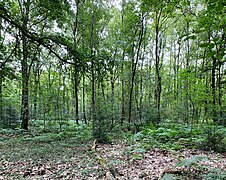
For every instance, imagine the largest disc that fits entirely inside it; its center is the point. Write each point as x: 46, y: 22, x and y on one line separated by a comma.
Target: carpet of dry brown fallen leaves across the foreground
x: 81, y: 163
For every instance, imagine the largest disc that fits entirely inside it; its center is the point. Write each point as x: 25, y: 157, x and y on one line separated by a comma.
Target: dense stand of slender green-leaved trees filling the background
x: 128, y: 62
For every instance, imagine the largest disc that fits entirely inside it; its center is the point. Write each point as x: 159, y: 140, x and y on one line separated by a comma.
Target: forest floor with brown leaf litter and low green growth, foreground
x: 46, y: 156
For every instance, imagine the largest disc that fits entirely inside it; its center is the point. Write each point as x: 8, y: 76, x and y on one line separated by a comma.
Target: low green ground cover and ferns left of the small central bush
x: 42, y: 144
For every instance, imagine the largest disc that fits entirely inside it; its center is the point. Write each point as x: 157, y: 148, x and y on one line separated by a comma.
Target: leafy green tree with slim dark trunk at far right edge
x: 212, y: 22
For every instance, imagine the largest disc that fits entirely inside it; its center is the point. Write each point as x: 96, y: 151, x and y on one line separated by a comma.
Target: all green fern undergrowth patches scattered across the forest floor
x: 42, y: 143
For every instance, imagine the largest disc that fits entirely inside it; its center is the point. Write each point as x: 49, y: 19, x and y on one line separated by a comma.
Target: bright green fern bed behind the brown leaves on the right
x: 176, y: 137
